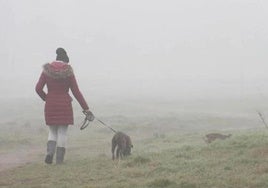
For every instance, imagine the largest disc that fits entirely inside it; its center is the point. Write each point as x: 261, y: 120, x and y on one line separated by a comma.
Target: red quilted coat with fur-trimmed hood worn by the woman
x: 59, y: 78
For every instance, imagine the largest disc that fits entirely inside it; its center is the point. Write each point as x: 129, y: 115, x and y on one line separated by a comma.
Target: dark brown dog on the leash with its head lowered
x: 123, y: 145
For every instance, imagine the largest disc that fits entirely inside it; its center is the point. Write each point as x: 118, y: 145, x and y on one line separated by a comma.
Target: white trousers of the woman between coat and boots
x: 58, y: 133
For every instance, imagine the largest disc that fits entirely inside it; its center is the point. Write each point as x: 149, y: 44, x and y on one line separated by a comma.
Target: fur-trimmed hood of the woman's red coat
x: 58, y: 70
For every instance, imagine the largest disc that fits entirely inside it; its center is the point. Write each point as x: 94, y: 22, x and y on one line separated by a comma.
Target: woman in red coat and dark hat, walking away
x: 58, y: 76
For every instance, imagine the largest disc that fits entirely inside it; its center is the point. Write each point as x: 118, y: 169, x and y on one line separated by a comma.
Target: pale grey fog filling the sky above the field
x: 142, y: 49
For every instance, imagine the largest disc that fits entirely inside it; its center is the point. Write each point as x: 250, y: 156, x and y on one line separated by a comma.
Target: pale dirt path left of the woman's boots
x: 18, y: 158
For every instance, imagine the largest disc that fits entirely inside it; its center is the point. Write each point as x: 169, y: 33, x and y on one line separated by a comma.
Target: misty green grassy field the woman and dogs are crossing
x: 169, y: 150
